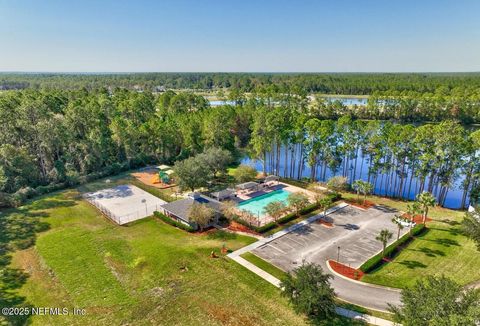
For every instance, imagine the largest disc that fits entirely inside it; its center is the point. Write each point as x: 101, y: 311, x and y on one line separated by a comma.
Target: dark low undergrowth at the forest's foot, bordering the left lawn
x: 72, y: 179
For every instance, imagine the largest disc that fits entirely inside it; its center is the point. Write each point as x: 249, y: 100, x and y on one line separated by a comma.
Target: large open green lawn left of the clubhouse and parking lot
x: 65, y: 254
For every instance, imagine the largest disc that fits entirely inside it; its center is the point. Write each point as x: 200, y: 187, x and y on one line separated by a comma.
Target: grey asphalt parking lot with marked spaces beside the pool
x: 353, y: 230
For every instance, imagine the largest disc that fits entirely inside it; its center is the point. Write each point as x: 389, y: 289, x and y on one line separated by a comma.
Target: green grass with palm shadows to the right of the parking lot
x: 442, y: 250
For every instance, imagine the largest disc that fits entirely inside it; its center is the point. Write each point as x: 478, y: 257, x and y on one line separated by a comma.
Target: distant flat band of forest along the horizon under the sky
x: 327, y: 83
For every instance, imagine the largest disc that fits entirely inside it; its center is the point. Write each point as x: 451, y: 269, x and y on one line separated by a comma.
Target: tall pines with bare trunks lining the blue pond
x: 401, y: 159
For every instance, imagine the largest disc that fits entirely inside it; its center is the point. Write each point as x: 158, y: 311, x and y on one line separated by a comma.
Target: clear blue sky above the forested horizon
x: 239, y: 36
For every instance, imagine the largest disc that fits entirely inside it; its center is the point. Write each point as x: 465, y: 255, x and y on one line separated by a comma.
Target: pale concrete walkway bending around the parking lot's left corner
x: 276, y: 282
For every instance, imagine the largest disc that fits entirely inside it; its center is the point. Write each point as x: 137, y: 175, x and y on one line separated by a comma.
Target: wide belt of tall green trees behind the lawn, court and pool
x: 56, y: 138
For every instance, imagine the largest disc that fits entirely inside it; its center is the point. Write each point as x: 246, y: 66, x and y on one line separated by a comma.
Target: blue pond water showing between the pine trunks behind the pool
x: 453, y: 199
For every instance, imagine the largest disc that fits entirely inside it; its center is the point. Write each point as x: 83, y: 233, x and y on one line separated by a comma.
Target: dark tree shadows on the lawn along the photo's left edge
x: 18, y: 230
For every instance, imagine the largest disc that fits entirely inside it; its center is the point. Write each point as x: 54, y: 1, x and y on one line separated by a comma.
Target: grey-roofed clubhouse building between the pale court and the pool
x: 178, y: 210
